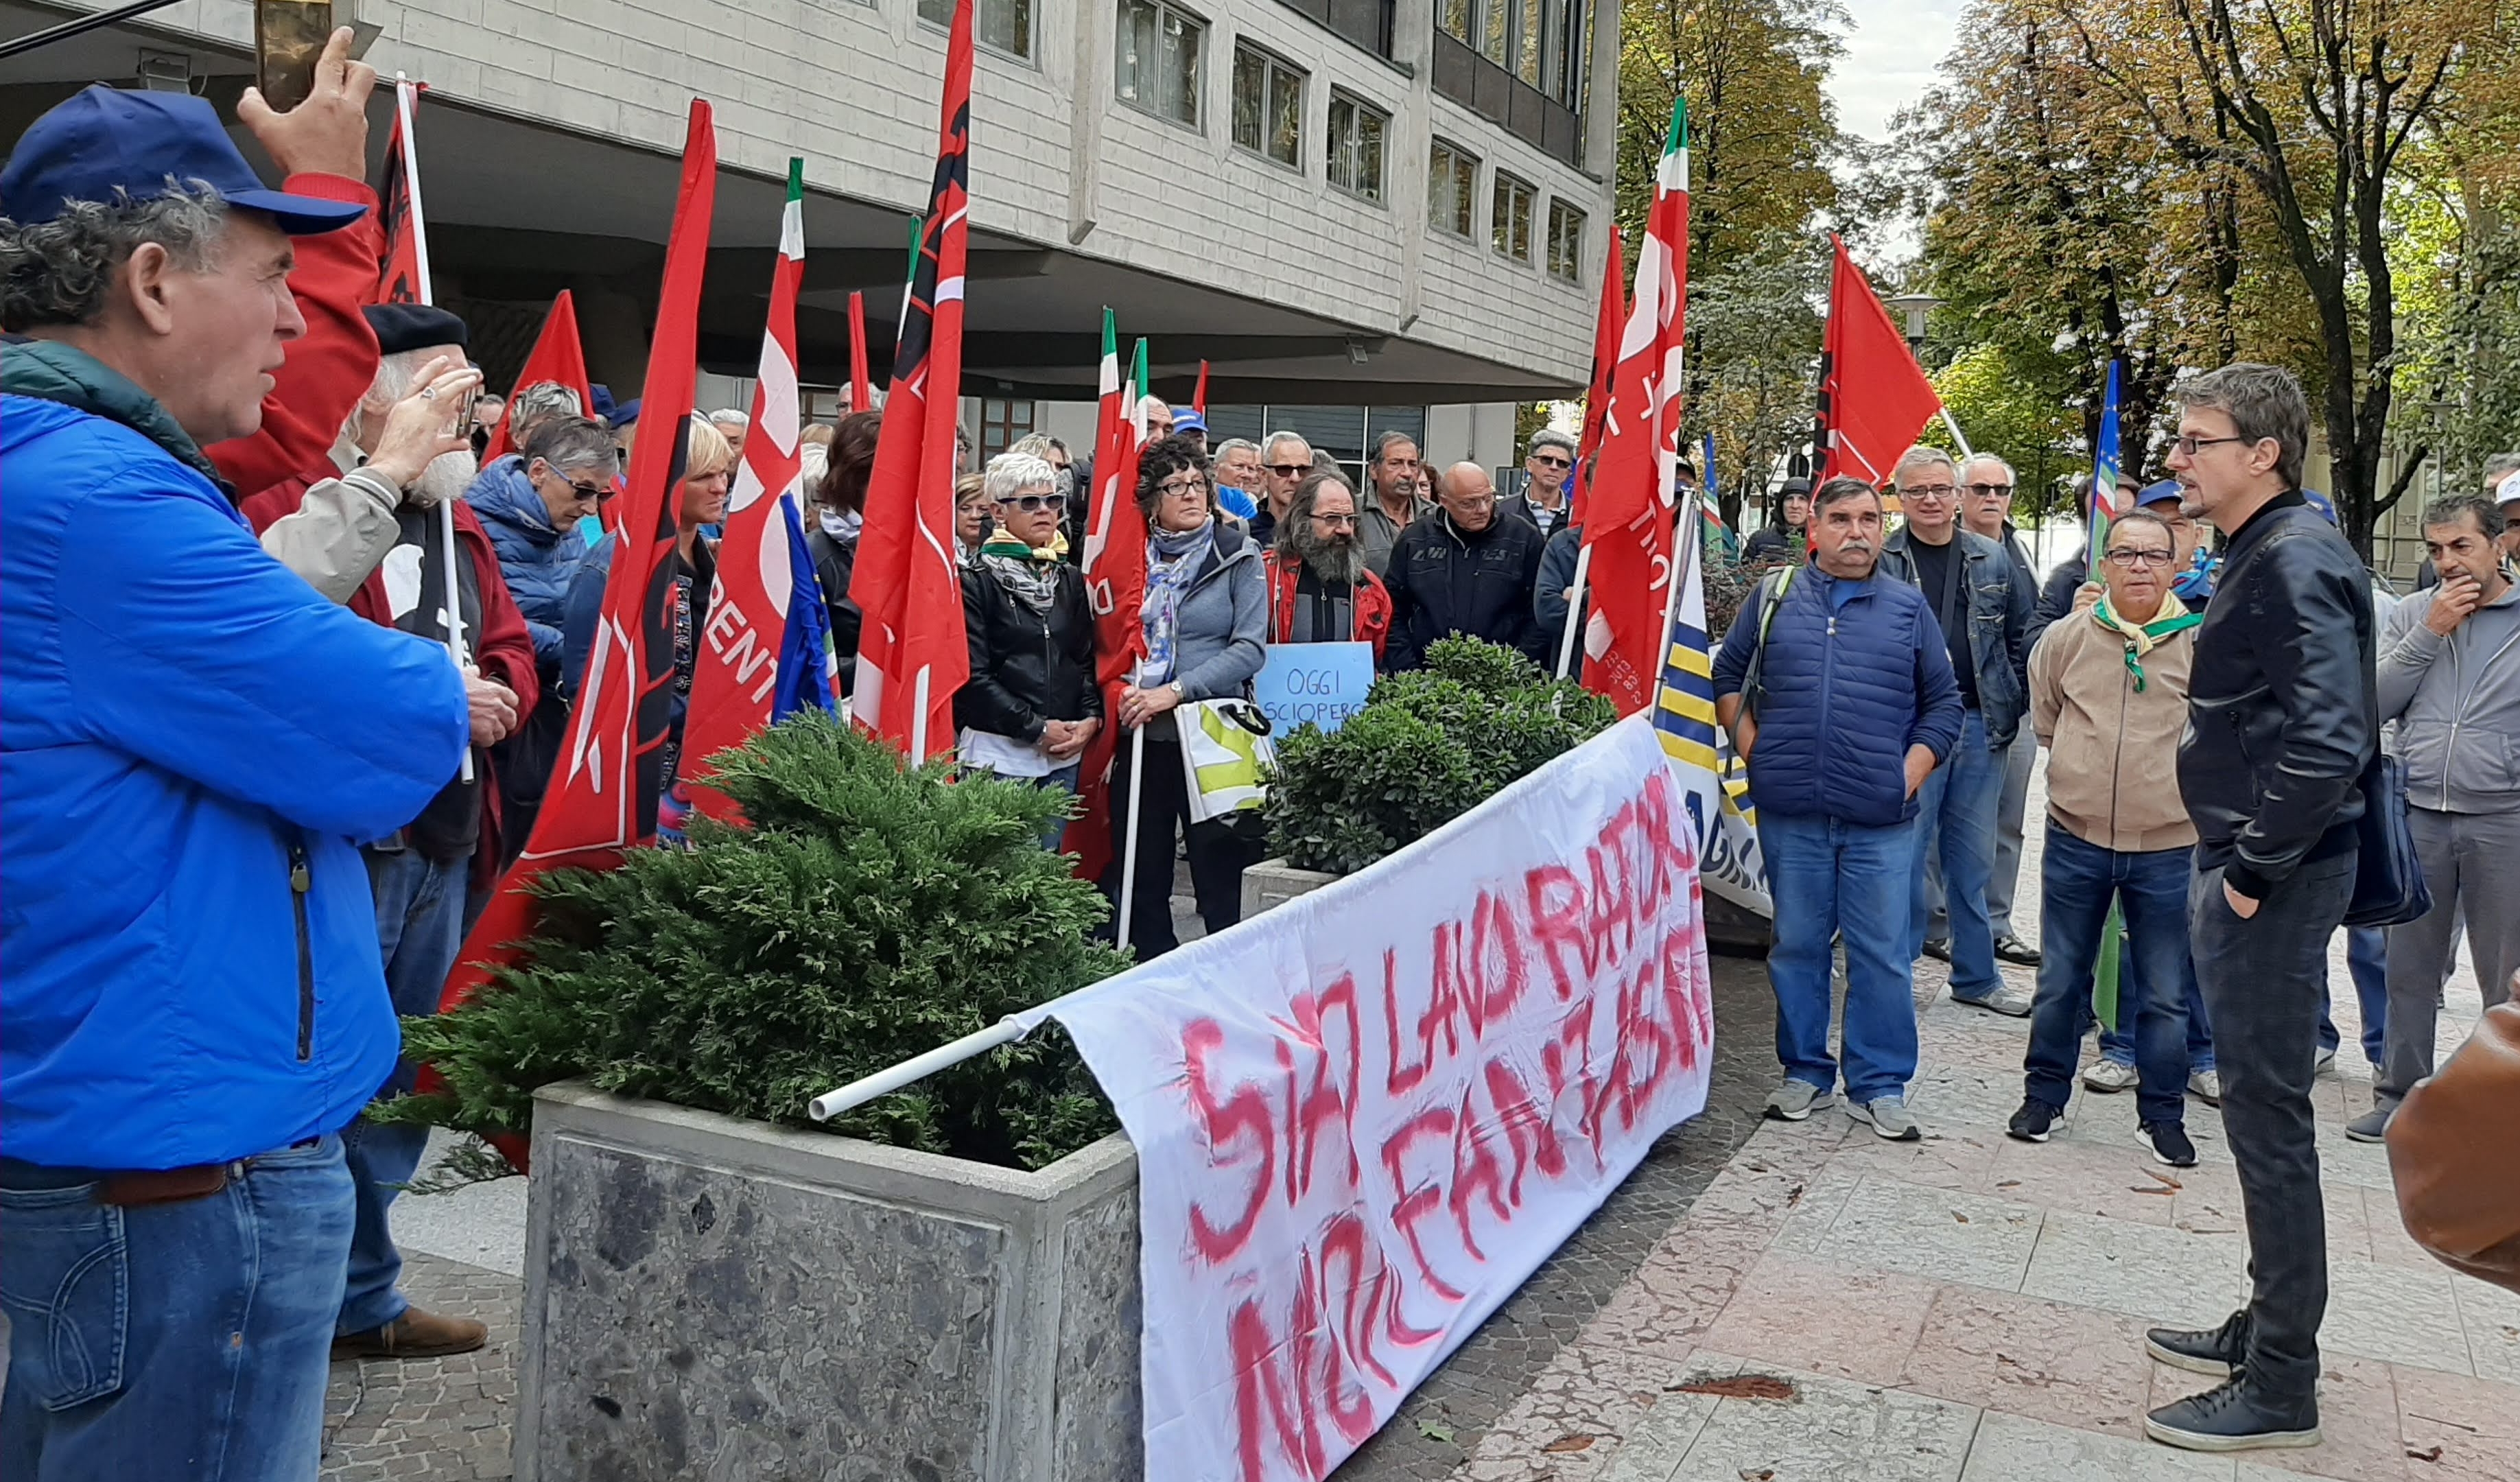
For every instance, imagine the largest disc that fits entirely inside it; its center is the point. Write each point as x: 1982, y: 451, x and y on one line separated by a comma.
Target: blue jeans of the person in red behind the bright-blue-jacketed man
x: 420, y: 926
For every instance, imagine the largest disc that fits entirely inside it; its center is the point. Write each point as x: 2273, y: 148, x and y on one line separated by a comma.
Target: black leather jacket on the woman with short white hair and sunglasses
x: 1027, y: 667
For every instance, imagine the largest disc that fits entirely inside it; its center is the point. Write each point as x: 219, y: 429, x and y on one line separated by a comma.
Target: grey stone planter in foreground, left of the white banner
x: 750, y: 1302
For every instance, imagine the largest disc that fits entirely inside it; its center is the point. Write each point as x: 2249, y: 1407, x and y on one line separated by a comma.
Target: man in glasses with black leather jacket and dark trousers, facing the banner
x: 2282, y: 725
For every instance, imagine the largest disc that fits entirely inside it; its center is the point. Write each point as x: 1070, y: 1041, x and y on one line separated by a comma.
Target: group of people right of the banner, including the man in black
x: 2211, y: 712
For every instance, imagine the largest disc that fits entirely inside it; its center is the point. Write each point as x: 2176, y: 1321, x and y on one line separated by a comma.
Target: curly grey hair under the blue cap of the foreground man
x: 59, y: 273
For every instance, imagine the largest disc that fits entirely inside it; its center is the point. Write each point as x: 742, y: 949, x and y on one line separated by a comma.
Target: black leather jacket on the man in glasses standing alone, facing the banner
x: 2282, y: 707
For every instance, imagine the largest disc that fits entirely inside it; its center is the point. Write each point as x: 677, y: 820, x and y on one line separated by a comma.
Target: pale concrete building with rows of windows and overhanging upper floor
x: 1362, y: 213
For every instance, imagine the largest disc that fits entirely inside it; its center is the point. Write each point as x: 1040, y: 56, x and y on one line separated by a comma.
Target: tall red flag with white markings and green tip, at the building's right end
x: 1629, y: 520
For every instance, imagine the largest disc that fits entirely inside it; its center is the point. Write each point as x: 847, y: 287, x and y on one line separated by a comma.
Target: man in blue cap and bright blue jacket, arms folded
x: 193, y: 745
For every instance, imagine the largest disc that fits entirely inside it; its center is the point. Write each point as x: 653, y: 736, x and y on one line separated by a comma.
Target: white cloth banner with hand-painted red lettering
x: 1367, y: 1115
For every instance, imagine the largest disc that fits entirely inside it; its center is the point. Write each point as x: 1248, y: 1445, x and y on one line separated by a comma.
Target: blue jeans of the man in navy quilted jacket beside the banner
x: 1833, y: 878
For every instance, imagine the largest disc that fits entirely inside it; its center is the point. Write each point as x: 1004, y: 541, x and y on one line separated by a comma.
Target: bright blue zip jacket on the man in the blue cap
x: 185, y: 727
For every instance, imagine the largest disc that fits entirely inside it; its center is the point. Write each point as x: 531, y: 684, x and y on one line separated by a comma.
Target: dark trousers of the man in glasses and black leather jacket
x: 2262, y: 984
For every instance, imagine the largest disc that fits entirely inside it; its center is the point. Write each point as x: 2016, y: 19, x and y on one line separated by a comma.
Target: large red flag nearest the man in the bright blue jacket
x: 606, y: 785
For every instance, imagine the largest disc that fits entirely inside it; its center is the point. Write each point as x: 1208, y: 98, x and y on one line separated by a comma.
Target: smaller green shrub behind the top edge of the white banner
x: 1425, y: 750
